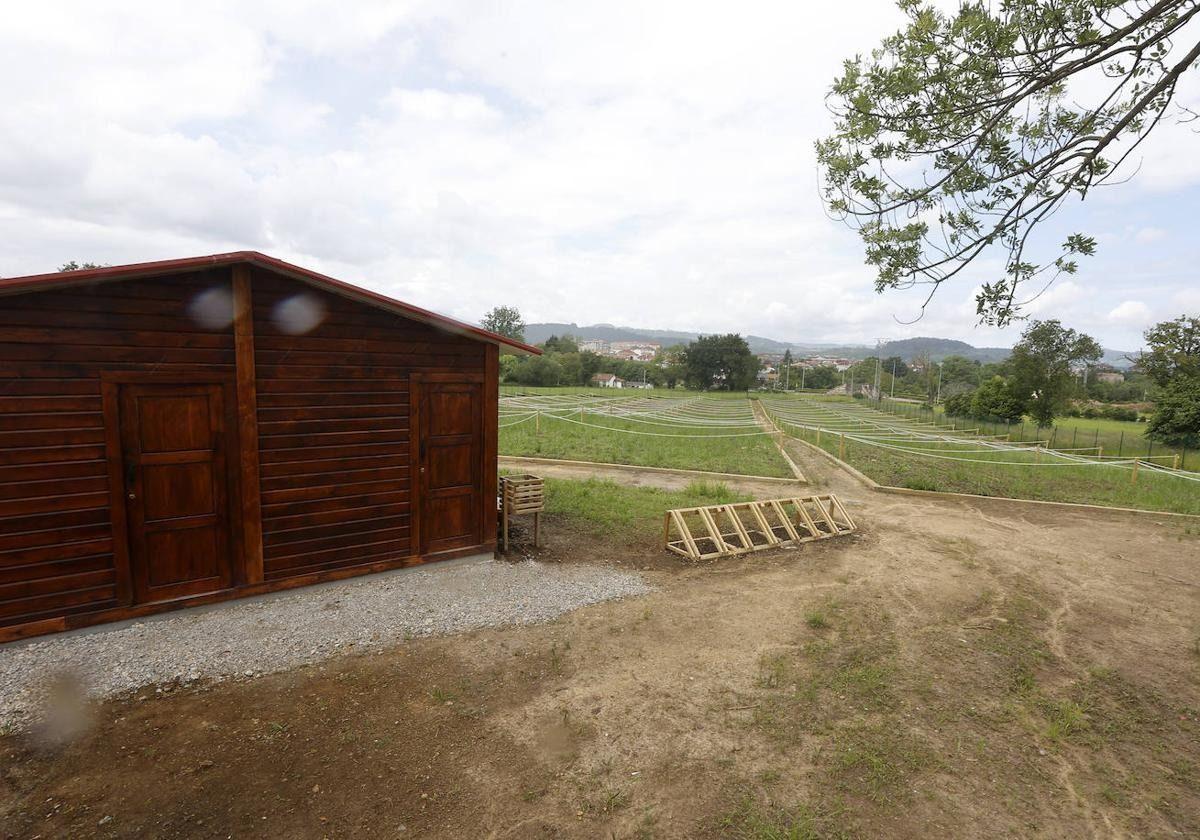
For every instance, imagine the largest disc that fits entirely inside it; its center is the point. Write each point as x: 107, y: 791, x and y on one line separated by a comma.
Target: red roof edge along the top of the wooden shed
x: 165, y: 267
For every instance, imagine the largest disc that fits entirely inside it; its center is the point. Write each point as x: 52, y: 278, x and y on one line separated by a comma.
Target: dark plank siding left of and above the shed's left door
x: 58, y: 554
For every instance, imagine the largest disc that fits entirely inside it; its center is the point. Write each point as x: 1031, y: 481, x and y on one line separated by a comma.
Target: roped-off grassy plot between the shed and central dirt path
x: 650, y: 440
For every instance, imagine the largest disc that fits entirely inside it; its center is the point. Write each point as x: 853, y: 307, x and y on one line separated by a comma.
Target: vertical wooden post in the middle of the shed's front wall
x: 248, y: 425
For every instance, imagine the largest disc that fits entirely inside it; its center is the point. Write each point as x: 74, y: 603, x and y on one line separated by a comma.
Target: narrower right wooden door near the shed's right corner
x: 451, y: 465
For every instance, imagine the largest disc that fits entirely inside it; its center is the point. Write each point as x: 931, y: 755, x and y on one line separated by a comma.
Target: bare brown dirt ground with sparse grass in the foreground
x: 958, y: 669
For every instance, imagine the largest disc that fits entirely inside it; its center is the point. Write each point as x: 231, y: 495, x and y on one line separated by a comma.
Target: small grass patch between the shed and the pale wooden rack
x: 607, y: 508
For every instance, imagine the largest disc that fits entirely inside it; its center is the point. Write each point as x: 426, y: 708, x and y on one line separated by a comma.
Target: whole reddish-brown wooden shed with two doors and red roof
x: 203, y: 429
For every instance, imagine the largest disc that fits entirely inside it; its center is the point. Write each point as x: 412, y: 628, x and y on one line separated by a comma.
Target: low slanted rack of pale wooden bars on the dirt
x: 729, y: 530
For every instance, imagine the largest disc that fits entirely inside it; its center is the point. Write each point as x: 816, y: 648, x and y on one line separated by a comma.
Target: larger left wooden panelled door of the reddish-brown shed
x: 176, y: 465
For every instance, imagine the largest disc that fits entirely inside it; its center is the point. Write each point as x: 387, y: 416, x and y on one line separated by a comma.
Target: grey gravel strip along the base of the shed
x: 260, y: 637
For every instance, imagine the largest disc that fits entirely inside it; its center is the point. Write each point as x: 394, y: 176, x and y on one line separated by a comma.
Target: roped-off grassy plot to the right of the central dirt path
x: 923, y: 466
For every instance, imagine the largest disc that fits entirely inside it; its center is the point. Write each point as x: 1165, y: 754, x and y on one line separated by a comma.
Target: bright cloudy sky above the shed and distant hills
x: 637, y: 164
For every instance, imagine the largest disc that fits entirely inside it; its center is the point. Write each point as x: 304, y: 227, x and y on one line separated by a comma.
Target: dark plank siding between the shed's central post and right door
x: 334, y: 425
